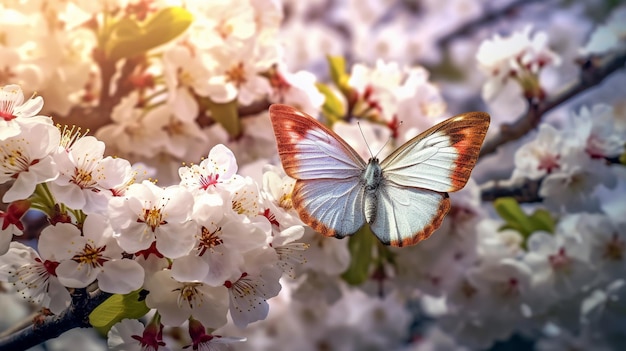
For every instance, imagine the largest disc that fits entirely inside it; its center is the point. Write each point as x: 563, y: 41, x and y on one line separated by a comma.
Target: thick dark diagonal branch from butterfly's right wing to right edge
x: 593, y: 71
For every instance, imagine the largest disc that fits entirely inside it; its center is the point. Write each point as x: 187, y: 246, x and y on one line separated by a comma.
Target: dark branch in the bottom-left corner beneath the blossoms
x: 75, y: 316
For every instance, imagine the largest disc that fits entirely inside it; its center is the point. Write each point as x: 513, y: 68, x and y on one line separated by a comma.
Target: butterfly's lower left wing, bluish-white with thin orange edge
x: 333, y: 207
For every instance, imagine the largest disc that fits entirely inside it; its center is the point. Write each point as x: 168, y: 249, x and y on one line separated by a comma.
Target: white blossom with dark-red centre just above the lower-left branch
x: 92, y: 255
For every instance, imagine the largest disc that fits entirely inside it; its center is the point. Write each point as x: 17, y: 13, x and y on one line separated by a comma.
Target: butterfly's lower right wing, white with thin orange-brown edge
x: 407, y: 215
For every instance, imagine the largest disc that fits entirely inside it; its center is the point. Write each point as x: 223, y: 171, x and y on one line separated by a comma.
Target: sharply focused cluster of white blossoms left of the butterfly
x: 202, y: 248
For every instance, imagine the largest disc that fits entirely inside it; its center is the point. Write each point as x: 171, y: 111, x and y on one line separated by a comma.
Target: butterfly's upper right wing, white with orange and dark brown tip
x: 441, y: 158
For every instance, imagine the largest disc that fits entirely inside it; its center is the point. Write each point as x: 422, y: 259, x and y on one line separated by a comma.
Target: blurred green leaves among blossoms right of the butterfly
x: 515, y: 218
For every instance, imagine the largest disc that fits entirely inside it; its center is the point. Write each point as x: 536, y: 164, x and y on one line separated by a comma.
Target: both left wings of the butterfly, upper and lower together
x: 328, y: 194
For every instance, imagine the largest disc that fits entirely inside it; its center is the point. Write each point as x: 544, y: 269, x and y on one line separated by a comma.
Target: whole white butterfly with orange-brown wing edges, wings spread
x: 404, y: 198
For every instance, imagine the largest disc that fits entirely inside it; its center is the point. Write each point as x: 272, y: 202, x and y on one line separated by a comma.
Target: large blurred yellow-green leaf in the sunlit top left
x: 130, y: 38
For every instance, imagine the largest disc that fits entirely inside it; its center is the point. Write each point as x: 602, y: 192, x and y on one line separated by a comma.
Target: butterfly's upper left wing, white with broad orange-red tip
x: 309, y: 150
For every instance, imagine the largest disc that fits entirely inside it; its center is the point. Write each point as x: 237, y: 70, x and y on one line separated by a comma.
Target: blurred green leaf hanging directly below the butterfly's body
x: 360, y: 246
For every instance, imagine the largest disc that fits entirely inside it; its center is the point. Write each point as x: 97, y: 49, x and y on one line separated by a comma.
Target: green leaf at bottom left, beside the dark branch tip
x: 116, y: 308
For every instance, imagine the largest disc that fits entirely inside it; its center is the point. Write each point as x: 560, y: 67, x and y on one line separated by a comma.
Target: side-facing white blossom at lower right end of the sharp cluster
x: 248, y: 295
